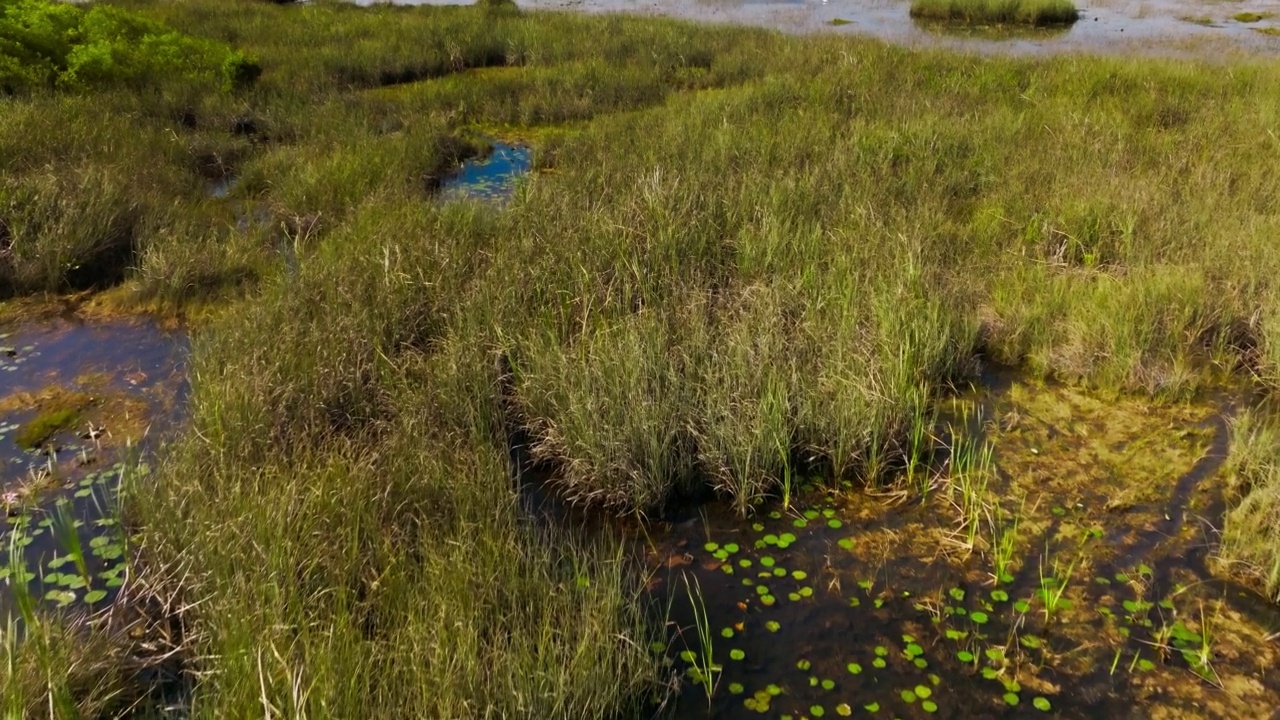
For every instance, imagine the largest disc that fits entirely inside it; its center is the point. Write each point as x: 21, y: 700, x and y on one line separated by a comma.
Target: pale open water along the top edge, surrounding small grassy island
x: 1180, y: 28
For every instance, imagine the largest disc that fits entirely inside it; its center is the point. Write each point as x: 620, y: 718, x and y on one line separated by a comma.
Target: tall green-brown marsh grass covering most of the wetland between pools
x: 743, y: 259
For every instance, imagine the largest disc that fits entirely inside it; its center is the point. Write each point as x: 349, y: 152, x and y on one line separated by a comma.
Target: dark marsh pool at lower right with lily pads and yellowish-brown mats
x: 1066, y: 576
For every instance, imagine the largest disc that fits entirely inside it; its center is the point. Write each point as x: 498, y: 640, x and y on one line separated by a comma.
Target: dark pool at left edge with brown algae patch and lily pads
x: 115, y: 388
